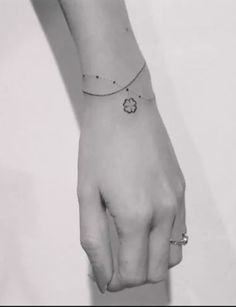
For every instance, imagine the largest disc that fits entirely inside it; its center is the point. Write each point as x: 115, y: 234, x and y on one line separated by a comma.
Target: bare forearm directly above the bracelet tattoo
x: 104, y: 38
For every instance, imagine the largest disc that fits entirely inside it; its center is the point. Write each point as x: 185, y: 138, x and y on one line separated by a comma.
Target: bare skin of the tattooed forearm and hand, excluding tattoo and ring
x: 127, y: 165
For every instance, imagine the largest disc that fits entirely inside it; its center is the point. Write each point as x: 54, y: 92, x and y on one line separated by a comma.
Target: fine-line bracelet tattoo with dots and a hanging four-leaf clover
x: 129, y: 104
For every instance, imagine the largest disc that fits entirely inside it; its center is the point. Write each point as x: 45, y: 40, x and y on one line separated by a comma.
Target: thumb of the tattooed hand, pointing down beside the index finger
x: 94, y: 235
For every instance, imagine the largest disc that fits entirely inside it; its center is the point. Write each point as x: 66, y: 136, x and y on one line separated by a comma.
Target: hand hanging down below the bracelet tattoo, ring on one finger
x: 127, y: 166
